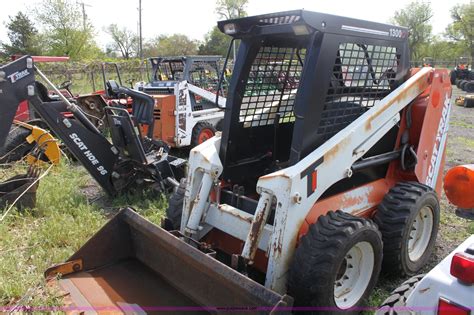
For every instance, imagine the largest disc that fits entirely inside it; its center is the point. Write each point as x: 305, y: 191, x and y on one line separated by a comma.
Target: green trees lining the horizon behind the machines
x: 60, y: 27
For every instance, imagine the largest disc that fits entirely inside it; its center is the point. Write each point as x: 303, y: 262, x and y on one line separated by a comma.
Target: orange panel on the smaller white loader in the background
x: 165, y: 120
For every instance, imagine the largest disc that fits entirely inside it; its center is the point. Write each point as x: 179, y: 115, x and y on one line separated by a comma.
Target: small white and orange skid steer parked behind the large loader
x: 187, y: 111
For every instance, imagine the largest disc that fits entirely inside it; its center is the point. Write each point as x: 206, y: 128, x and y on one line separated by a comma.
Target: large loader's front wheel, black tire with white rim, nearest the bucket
x: 337, y: 263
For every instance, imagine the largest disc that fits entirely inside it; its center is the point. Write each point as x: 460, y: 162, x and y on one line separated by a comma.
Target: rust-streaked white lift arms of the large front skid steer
x: 288, y: 187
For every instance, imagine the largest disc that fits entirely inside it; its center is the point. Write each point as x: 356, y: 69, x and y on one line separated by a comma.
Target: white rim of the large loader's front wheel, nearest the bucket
x: 354, y: 275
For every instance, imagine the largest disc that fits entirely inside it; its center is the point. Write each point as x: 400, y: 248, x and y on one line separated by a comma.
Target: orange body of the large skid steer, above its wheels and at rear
x: 428, y: 113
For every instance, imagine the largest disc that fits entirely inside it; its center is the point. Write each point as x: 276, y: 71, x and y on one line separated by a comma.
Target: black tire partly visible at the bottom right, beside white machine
x: 398, y: 298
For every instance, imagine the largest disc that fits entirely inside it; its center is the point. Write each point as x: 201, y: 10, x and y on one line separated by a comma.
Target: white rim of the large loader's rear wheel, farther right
x: 420, y: 233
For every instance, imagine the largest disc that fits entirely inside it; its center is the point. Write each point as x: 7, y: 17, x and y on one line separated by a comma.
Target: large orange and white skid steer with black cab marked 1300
x: 326, y: 171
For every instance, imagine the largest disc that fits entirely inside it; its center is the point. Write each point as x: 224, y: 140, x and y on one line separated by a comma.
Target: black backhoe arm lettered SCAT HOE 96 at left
x: 117, y: 166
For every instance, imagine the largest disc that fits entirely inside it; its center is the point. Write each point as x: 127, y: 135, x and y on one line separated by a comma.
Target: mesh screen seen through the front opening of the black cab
x: 271, y: 87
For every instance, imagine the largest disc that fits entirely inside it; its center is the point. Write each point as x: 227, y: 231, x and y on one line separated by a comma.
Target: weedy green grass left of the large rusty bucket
x: 64, y: 218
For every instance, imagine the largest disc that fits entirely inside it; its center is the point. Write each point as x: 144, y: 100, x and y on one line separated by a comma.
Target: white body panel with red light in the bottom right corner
x: 439, y: 283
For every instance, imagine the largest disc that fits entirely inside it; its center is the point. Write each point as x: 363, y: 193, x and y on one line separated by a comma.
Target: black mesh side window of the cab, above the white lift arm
x: 362, y: 75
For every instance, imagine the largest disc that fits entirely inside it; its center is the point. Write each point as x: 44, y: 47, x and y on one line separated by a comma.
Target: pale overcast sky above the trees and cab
x: 196, y: 17
